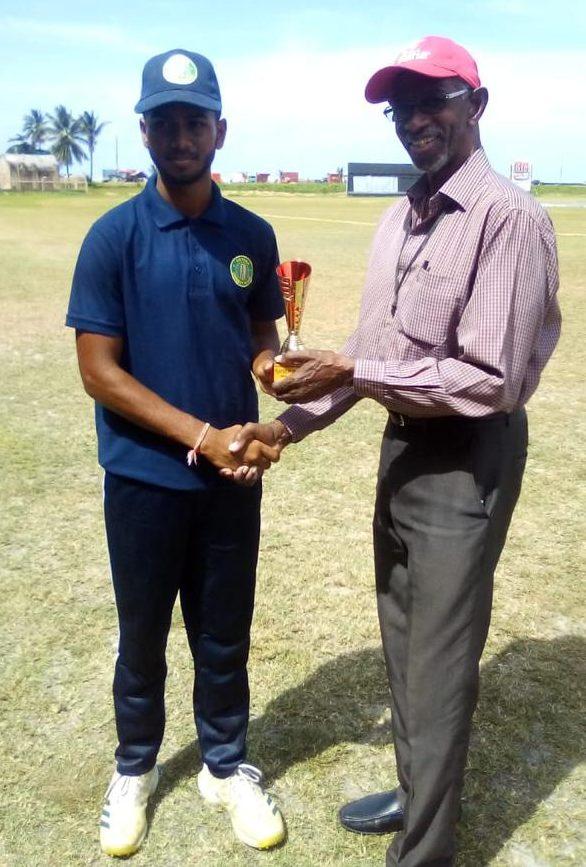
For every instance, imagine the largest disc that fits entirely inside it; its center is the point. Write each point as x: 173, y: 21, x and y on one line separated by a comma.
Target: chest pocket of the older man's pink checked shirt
x: 429, y: 309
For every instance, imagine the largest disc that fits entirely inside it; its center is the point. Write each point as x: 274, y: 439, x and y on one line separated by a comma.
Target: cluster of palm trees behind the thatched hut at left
x: 64, y: 134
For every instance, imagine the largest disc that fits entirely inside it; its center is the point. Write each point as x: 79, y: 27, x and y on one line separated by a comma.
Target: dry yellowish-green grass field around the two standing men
x: 320, y: 724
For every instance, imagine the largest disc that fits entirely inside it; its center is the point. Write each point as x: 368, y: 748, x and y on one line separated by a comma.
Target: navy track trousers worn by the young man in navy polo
x: 202, y: 546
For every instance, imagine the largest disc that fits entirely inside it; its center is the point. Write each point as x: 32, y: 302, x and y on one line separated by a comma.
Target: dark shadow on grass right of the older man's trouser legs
x: 528, y: 737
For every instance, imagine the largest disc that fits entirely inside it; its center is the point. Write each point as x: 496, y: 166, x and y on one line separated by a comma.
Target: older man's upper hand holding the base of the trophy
x: 314, y: 373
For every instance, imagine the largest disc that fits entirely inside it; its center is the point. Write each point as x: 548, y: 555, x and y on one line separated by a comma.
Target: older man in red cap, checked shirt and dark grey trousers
x: 459, y: 317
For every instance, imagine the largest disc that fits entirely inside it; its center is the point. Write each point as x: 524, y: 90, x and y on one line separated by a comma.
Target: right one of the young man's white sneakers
x: 255, y: 816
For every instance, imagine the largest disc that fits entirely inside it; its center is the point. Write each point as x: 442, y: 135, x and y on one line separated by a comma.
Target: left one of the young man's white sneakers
x: 123, y: 824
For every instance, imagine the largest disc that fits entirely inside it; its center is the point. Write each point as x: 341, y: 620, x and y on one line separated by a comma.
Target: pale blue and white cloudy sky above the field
x: 292, y: 75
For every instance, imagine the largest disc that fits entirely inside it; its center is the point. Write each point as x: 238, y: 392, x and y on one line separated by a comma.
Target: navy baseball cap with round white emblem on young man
x: 179, y: 76
